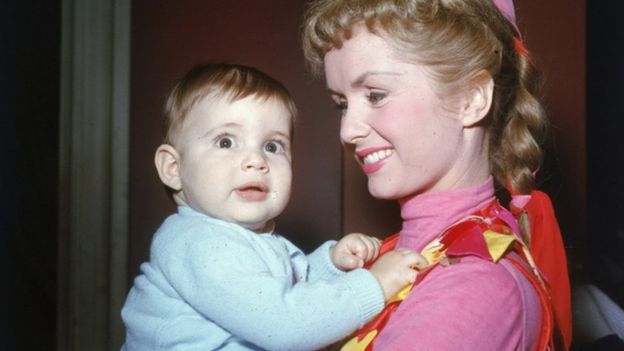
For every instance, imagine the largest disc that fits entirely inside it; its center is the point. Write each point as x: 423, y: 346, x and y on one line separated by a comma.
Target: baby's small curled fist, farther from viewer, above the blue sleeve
x: 353, y: 250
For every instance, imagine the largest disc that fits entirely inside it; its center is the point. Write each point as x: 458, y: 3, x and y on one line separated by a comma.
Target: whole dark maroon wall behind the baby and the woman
x: 329, y: 194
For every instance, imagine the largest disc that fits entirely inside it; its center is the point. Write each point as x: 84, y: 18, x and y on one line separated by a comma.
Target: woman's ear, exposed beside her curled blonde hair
x: 478, y: 99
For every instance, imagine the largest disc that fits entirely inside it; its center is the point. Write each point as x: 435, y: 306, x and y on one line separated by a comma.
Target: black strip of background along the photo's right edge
x: 605, y: 147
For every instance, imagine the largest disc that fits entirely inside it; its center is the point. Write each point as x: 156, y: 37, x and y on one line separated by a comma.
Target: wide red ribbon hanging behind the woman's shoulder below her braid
x: 549, y: 254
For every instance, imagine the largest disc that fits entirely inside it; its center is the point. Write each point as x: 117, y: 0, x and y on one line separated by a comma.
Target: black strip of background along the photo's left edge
x: 29, y: 119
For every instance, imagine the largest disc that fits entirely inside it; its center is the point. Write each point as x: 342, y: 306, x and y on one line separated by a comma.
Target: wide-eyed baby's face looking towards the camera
x: 235, y: 160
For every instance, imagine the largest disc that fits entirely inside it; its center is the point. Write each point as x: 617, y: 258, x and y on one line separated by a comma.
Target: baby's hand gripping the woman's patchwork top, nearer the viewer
x: 396, y: 269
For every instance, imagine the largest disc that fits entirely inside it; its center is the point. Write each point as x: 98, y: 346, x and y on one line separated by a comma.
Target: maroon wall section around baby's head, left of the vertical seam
x: 168, y: 37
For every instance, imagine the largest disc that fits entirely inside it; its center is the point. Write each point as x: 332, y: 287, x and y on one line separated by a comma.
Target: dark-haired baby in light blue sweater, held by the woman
x: 218, y: 276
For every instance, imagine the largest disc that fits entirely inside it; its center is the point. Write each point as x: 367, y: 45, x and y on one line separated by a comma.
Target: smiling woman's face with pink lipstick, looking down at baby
x: 406, y: 139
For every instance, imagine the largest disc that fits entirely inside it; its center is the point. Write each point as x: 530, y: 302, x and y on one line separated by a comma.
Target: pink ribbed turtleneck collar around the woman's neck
x: 425, y: 216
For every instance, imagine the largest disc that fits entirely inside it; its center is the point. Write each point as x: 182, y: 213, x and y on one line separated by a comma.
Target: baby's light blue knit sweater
x: 214, y: 285
